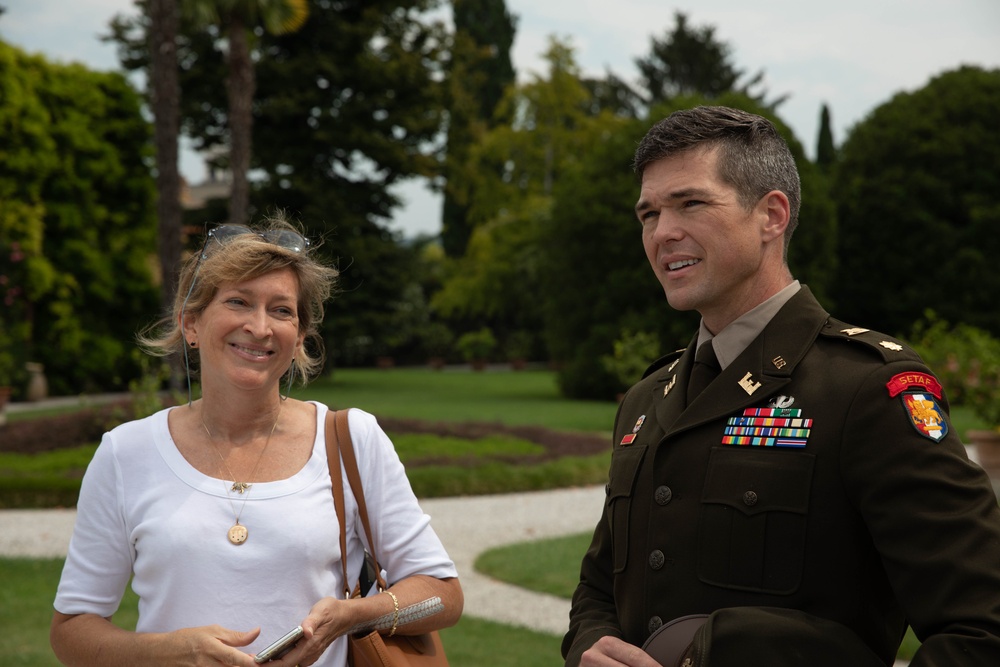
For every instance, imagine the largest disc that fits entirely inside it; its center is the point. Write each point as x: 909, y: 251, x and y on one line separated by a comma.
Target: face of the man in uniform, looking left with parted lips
x: 706, y: 249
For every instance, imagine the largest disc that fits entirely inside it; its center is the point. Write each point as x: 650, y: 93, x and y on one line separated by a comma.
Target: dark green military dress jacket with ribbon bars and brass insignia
x: 818, y: 472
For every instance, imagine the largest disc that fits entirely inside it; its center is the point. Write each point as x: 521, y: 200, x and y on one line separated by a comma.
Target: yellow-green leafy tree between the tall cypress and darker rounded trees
x: 514, y: 170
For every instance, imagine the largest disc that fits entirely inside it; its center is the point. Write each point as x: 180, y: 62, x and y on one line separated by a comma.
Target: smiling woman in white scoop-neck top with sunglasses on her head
x: 220, y: 511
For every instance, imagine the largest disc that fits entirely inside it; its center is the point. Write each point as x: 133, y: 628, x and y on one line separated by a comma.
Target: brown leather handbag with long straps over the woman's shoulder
x: 371, y: 649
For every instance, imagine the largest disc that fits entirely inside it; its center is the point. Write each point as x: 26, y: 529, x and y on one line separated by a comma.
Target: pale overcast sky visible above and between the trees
x: 850, y: 54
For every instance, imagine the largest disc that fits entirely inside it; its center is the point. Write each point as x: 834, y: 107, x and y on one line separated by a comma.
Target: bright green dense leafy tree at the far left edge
x: 78, y: 209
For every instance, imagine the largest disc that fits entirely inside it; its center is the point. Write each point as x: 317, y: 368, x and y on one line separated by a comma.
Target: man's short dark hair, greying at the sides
x: 753, y: 157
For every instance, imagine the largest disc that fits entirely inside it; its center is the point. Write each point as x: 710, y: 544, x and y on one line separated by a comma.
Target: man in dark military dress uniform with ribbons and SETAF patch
x: 790, y: 478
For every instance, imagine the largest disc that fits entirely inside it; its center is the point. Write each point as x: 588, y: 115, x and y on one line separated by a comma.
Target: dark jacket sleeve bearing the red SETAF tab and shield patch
x: 933, y: 517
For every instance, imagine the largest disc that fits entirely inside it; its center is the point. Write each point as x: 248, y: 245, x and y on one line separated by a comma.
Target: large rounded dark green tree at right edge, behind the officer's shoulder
x: 917, y: 197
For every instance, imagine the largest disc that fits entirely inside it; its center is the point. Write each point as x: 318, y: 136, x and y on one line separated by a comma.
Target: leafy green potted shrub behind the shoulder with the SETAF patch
x: 966, y: 360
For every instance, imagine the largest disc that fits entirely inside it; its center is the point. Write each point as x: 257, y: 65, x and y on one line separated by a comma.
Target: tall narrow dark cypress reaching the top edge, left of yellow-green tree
x: 479, y: 73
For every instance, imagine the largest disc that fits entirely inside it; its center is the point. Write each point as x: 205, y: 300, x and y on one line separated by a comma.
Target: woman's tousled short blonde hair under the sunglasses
x: 238, y: 259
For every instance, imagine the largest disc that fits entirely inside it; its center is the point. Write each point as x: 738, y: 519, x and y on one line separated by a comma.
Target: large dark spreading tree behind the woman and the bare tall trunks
x: 344, y: 109
